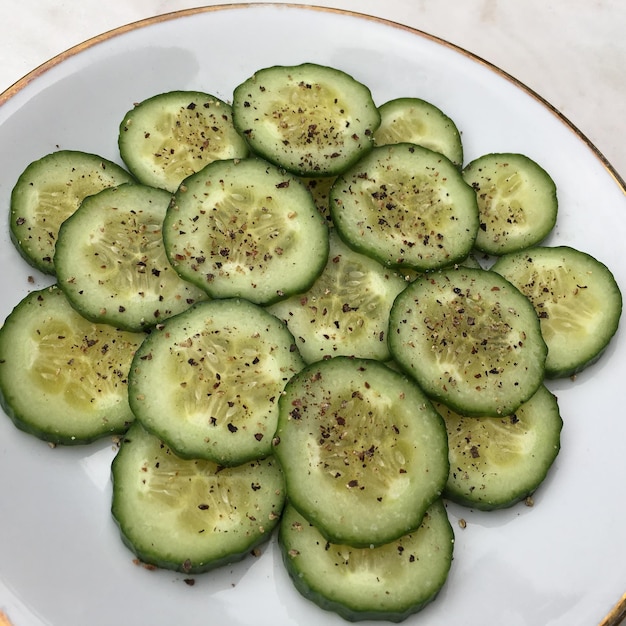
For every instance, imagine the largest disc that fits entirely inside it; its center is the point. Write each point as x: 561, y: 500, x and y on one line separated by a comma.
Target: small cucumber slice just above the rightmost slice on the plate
x: 517, y: 202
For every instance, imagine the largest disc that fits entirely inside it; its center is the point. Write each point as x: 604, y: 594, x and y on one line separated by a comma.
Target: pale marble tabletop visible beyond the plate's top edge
x: 571, y: 52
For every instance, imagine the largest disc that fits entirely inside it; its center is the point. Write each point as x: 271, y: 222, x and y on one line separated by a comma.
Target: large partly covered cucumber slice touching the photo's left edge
x: 63, y: 378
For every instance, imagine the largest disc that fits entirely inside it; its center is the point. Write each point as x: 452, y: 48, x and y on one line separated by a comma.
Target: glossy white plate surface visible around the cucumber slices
x: 561, y: 562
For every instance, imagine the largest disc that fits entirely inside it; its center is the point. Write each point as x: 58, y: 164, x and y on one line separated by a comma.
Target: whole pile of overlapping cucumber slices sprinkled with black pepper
x: 302, y: 313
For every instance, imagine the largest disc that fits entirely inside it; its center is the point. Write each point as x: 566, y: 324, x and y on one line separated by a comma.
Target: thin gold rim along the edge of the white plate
x: 618, y: 612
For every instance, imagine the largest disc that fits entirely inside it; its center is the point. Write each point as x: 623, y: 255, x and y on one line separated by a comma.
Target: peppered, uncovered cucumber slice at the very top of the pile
x: 310, y: 119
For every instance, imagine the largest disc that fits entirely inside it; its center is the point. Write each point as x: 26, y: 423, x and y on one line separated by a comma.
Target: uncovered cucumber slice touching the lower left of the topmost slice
x: 246, y: 229
